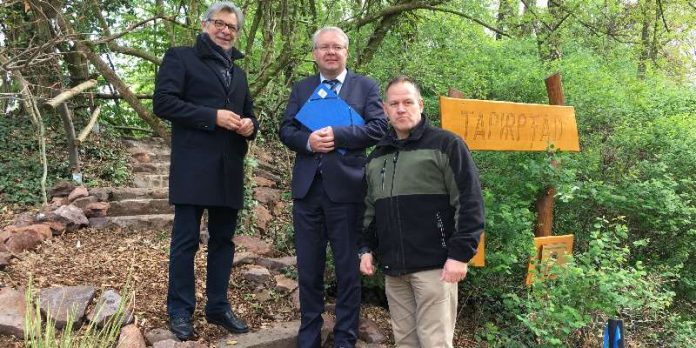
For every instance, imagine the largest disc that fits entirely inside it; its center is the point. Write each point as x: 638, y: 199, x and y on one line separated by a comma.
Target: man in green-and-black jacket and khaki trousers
x: 423, y: 219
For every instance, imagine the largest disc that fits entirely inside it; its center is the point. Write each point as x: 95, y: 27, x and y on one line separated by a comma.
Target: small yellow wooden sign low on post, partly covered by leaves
x: 550, y: 250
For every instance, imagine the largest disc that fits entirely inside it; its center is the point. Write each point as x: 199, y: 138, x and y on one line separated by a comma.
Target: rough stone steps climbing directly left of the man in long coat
x: 146, y: 205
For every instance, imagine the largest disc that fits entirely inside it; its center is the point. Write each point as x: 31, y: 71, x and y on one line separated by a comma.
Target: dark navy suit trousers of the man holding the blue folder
x: 317, y: 221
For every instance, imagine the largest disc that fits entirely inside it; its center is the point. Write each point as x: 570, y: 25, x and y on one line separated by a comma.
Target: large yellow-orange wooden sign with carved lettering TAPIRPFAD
x: 503, y: 126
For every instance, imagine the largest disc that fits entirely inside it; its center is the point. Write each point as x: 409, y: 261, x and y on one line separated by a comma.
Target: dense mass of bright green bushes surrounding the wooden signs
x: 637, y: 162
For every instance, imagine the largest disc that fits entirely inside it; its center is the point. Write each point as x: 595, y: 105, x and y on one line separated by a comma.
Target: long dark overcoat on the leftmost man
x: 207, y: 162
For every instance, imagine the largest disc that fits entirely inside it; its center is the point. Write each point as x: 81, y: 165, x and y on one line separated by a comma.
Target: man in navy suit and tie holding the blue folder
x: 327, y: 188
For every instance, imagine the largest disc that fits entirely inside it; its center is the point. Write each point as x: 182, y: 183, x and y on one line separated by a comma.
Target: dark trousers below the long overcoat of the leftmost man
x: 181, y: 296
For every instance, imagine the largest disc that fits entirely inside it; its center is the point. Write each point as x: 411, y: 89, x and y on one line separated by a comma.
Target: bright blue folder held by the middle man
x: 324, y: 108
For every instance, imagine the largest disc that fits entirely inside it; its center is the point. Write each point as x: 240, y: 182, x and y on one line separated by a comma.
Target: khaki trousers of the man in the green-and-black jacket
x: 423, y: 309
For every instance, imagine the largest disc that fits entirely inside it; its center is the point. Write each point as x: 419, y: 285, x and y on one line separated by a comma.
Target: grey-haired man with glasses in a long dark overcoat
x: 206, y: 98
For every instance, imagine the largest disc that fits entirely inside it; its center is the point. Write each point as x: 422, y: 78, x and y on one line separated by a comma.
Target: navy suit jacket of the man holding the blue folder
x: 341, y: 173
